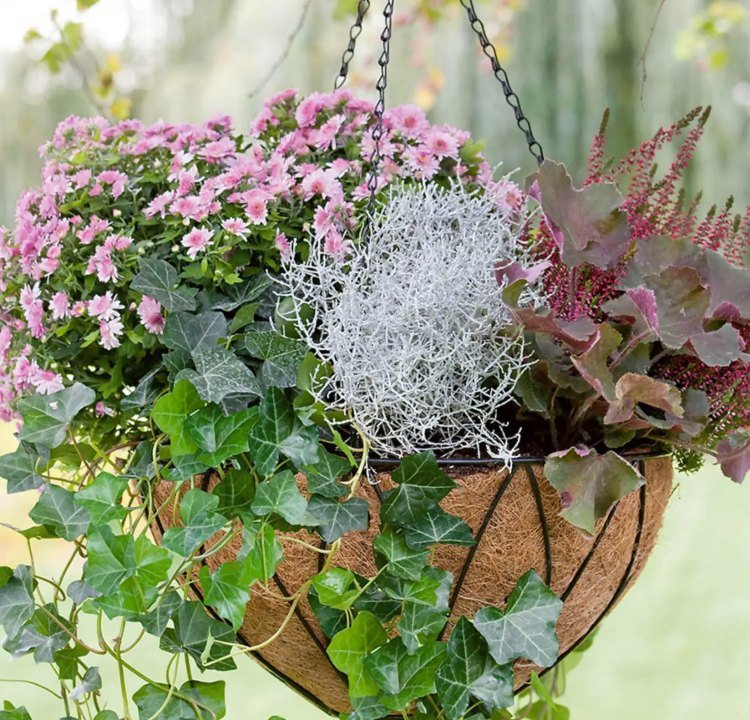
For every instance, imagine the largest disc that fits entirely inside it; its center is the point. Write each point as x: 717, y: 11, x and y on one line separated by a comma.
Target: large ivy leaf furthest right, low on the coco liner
x: 526, y: 628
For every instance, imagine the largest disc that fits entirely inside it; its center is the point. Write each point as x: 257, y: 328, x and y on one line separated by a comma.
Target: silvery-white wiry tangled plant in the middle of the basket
x: 424, y: 353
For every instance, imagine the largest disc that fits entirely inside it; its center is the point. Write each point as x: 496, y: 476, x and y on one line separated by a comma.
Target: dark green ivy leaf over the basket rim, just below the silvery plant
x: 421, y: 486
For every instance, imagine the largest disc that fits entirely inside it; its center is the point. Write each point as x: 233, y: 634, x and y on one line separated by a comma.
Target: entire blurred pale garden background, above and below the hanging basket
x: 678, y: 645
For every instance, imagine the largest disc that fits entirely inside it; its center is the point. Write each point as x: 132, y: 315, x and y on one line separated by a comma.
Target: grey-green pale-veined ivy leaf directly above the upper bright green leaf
x: 218, y: 373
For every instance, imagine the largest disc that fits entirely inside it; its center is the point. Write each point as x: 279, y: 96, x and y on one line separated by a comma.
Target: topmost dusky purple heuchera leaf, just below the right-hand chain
x: 592, y: 228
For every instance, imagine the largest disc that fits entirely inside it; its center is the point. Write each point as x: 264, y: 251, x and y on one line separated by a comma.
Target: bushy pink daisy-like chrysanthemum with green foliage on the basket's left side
x: 113, y: 194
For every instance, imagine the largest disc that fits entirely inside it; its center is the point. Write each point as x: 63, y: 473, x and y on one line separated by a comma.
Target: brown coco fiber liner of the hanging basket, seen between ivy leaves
x: 514, y: 516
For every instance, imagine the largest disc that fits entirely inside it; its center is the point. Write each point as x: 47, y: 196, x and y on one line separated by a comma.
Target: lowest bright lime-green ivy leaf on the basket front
x: 350, y: 647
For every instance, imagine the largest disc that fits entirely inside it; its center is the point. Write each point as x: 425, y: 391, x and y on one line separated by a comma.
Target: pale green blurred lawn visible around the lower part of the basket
x: 676, y: 648
